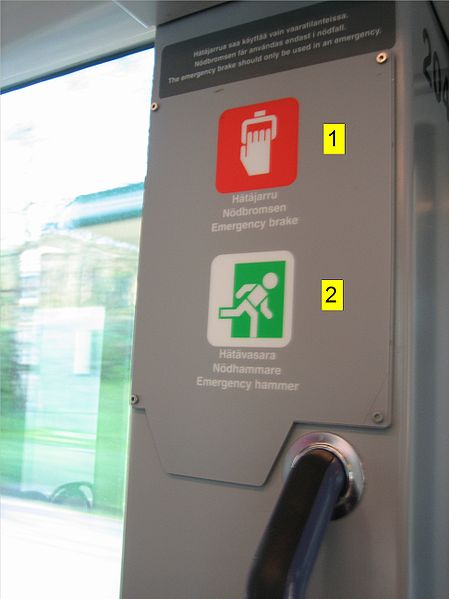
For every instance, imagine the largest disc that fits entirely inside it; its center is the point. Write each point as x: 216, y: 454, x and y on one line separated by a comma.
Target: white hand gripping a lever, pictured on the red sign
x: 256, y: 136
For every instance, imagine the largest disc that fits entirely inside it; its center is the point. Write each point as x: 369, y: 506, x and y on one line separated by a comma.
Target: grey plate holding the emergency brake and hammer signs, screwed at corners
x: 340, y: 360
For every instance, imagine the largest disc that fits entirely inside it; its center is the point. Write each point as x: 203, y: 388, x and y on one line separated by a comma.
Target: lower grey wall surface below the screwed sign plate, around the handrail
x: 190, y: 538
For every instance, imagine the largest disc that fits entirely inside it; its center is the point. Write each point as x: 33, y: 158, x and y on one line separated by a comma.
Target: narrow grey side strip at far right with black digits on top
x: 430, y: 392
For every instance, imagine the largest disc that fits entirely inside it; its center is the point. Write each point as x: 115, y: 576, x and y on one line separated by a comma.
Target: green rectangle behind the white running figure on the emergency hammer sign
x: 253, y: 272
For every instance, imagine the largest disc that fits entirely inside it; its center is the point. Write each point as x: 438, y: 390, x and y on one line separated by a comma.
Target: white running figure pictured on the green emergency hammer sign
x: 255, y: 300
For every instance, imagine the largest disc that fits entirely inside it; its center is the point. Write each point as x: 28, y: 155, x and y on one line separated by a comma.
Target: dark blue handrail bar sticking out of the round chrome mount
x: 290, y: 544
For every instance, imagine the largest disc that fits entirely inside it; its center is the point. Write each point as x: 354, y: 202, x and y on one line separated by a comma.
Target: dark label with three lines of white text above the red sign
x: 319, y: 33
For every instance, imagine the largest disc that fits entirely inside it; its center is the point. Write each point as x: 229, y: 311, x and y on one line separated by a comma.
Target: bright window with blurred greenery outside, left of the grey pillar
x: 73, y: 163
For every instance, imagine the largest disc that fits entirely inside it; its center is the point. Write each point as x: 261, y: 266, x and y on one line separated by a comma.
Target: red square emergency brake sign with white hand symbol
x: 258, y: 146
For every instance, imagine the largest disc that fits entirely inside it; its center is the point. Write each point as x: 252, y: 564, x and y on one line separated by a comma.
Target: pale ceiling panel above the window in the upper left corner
x: 41, y: 37
